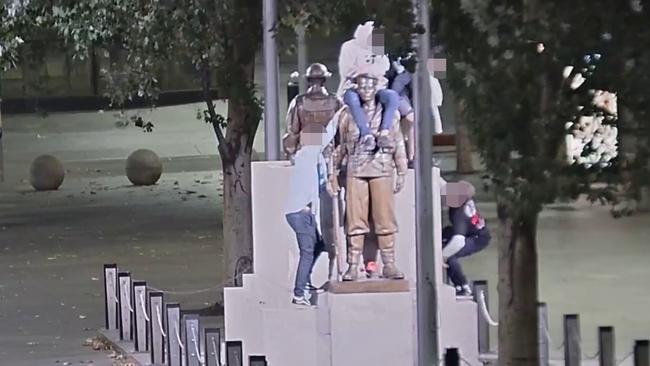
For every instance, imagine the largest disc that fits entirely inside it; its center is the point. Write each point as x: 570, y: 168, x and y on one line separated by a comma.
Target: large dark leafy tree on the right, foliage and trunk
x: 506, y: 62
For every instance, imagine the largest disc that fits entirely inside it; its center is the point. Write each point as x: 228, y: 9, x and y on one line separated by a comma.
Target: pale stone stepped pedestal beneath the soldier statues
x: 363, y: 323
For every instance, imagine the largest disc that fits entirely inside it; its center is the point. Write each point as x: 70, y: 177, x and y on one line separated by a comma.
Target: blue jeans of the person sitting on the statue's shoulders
x: 387, y: 97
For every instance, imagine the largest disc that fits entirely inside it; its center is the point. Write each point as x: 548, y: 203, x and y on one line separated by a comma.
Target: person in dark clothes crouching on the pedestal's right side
x: 467, y: 234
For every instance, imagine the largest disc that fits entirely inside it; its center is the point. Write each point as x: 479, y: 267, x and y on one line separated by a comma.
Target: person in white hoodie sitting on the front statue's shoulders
x: 358, y: 57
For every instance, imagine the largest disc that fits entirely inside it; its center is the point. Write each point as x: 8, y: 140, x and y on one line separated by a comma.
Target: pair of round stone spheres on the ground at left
x: 143, y: 168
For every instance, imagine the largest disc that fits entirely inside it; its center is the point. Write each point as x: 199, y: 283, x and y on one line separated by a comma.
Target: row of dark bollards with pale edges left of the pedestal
x: 170, y: 336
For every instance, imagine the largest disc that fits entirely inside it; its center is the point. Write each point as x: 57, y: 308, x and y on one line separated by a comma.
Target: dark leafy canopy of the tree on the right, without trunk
x: 507, y: 65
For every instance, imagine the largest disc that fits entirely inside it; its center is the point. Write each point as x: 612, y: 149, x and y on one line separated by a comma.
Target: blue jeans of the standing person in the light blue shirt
x: 310, y: 244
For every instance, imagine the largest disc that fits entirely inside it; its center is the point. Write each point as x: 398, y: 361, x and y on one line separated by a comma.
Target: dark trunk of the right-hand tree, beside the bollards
x: 518, y: 337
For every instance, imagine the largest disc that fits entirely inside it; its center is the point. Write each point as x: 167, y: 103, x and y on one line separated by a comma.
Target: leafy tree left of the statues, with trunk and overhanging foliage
x: 220, y: 39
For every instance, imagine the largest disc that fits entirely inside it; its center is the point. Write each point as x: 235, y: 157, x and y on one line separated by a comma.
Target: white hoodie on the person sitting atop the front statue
x: 356, y: 57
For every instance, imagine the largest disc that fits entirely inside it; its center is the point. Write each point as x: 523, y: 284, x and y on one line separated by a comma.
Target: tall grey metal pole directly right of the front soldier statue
x: 427, y: 298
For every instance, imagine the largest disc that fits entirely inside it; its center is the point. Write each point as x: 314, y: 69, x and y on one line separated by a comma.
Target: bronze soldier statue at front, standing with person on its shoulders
x: 373, y: 178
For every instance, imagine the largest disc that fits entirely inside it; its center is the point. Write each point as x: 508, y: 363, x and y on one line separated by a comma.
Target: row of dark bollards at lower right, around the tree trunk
x: 573, y: 354
